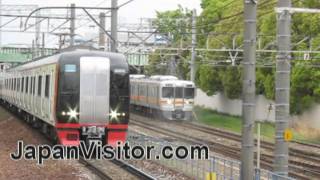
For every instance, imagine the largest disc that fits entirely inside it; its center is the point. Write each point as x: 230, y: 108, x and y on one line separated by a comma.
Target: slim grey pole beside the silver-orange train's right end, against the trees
x: 193, y: 44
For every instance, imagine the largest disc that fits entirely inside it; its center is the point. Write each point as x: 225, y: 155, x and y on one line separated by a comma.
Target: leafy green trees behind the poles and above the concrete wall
x: 220, y: 26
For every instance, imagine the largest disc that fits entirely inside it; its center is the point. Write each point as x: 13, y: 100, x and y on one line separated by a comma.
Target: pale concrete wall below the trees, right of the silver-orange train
x: 222, y: 104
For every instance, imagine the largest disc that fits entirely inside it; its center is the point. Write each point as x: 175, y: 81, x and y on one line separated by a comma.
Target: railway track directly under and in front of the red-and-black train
x: 95, y: 166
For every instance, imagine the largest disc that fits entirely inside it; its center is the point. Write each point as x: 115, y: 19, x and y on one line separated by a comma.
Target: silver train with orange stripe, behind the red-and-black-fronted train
x: 166, y: 97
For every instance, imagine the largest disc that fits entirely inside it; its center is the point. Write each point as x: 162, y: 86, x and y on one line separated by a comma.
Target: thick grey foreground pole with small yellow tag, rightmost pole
x: 283, y: 71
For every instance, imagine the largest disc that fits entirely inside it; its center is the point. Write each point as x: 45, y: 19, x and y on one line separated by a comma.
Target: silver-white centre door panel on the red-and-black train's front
x: 94, y: 89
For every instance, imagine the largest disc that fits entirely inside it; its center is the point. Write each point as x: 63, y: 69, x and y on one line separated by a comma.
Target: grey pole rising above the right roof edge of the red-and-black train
x: 114, y: 25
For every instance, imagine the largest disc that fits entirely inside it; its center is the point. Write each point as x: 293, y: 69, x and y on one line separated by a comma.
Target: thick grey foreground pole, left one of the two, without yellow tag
x: 249, y: 90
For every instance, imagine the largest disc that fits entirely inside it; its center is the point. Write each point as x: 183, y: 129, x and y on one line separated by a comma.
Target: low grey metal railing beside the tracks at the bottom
x: 219, y: 167
